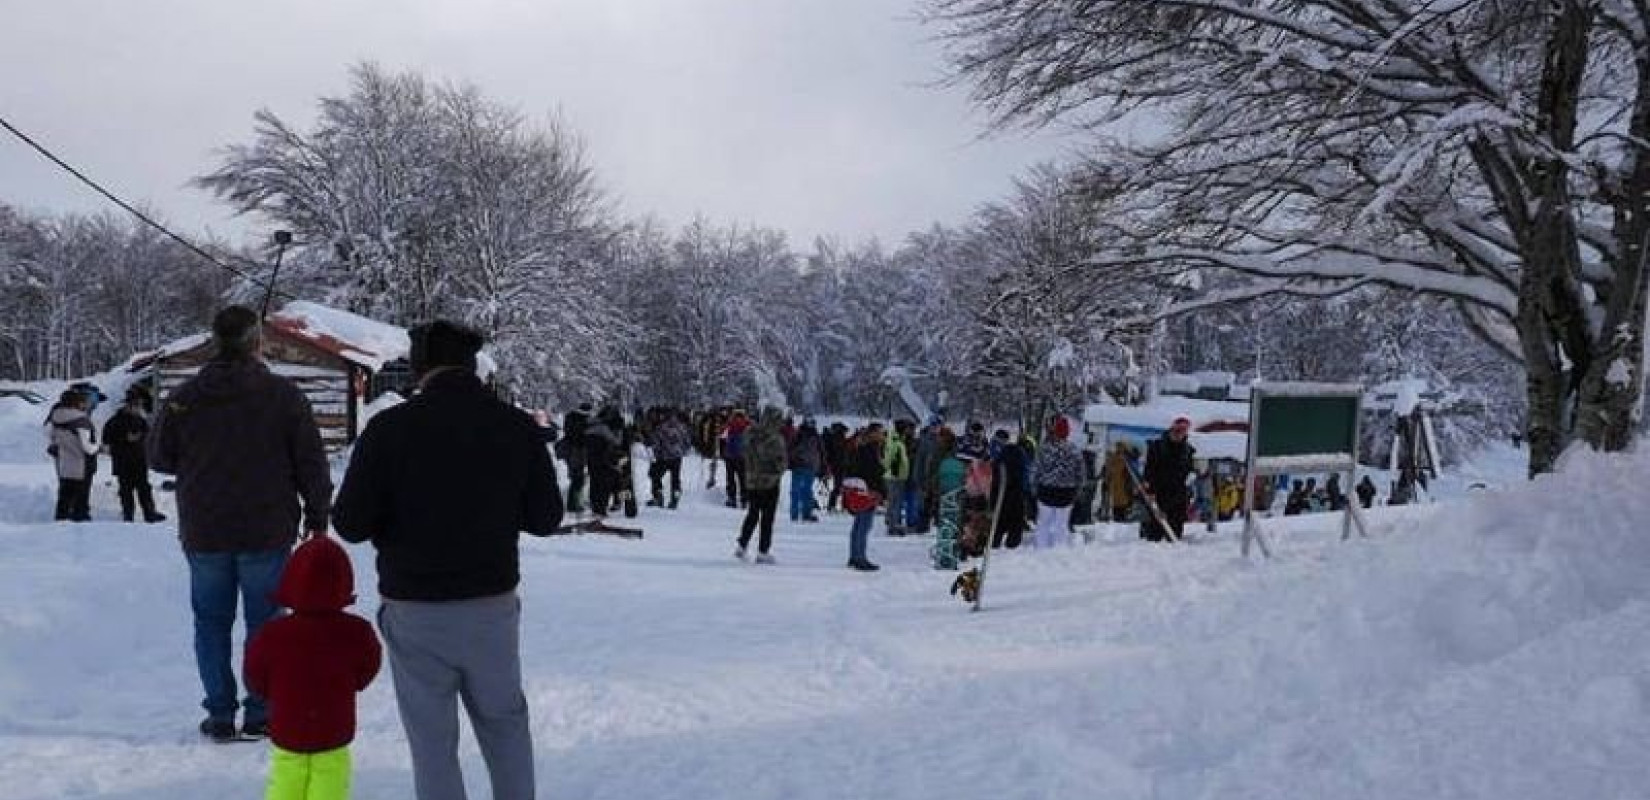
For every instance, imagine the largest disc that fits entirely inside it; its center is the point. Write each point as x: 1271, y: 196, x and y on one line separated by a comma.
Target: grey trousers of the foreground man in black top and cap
x: 471, y: 651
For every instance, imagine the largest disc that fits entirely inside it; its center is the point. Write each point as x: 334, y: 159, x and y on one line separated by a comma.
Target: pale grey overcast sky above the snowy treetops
x: 809, y: 116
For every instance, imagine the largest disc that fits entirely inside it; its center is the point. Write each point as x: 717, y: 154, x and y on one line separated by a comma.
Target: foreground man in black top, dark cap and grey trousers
x: 443, y: 487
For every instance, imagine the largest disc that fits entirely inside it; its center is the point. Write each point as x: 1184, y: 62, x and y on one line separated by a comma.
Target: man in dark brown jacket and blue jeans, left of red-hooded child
x: 245, y: 449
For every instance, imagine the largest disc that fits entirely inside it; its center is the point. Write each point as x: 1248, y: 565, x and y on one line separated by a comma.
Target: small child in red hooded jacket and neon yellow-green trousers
x: 309, y: 666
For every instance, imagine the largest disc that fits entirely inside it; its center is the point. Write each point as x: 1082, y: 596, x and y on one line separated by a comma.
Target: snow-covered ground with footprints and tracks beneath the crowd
x: 1492, y: 647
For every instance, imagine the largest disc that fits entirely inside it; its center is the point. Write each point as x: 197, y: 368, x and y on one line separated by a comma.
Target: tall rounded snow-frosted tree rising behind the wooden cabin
x: 412, y: 202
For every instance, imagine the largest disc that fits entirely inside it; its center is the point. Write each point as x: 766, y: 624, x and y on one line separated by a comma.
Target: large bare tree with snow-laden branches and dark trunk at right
x: 1484, y: 151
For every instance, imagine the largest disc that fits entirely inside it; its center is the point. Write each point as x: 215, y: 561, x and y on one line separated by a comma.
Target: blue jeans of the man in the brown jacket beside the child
x: 215, y: 581
